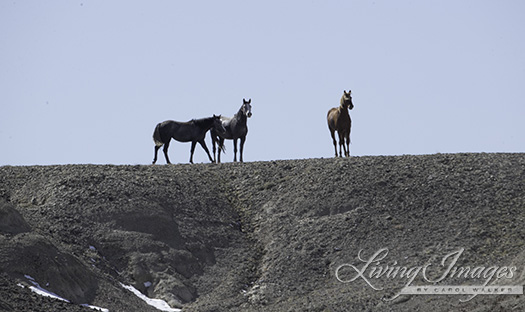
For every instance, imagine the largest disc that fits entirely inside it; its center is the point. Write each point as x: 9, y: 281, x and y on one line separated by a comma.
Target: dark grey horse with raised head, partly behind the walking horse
x: 236, y: 128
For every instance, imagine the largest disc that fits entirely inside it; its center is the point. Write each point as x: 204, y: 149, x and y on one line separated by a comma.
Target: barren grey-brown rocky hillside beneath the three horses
x: 264, y: 236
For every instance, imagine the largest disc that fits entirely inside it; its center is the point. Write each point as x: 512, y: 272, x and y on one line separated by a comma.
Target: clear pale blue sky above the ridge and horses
x: 85, y: 82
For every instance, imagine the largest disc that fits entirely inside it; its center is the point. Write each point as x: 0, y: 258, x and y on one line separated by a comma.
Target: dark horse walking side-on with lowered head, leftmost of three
x: 193, y: 130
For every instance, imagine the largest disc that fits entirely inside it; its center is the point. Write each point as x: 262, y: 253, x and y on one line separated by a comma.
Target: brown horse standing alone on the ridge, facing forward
x: 339, y: 120
